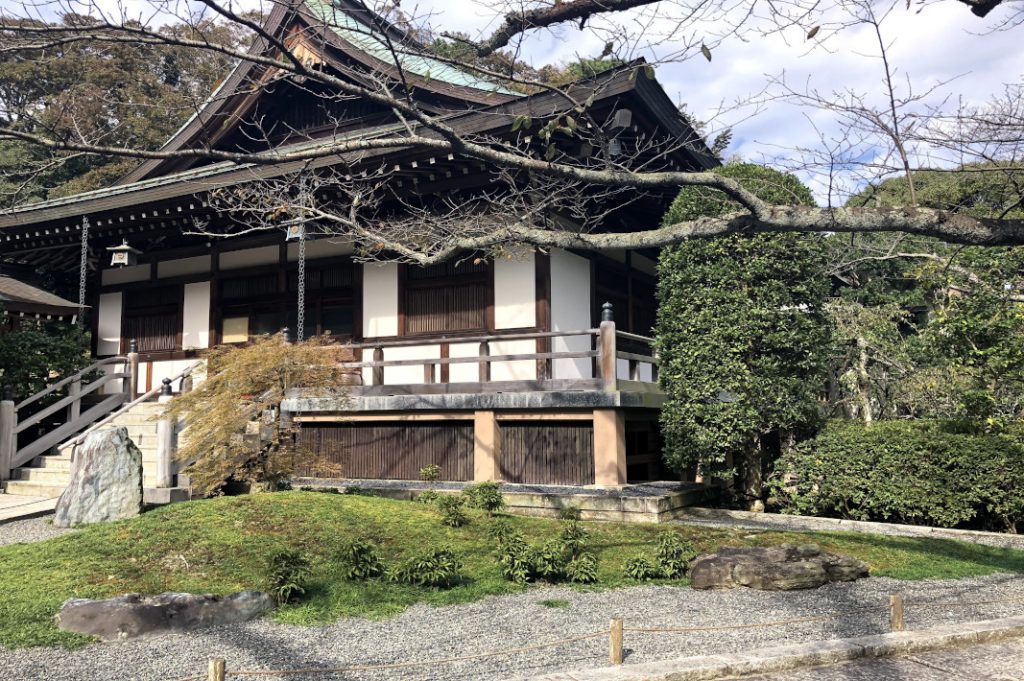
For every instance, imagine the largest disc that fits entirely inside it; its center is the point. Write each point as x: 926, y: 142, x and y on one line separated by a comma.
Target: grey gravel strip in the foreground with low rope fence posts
x: 510, y: 622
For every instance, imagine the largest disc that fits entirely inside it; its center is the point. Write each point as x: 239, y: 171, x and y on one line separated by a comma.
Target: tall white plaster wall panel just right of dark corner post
x: 571, y: 312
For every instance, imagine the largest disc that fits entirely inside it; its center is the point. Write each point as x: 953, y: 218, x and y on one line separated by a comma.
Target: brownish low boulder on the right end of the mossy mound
x: 779, y: 569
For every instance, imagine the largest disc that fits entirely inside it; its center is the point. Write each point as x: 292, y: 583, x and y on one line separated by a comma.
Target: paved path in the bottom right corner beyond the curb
x: 991, y: 662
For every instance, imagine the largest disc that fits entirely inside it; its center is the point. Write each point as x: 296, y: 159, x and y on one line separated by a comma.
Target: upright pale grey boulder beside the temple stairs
x: 106, y: 481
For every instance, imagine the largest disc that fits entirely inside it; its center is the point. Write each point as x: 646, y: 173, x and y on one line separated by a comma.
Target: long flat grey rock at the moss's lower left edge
x: 135, y: 615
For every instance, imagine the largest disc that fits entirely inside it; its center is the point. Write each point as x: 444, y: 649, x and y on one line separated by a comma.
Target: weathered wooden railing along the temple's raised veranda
x: 603, y: 352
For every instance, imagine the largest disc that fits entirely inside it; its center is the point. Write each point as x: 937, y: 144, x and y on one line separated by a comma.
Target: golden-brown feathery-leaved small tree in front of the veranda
x: 247, y: 385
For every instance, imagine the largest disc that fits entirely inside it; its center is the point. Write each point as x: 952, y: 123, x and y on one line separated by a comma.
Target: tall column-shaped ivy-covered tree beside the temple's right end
x: 744, y: 336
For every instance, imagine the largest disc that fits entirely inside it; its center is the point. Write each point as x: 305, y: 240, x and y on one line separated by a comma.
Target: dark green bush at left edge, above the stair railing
x: 37, y: 356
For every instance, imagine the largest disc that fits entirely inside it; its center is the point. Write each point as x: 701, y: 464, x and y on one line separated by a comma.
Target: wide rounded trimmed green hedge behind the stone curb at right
x: 915, y: 473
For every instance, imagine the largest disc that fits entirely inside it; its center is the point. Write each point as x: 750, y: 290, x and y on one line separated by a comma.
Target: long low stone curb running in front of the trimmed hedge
x: 805, y: 524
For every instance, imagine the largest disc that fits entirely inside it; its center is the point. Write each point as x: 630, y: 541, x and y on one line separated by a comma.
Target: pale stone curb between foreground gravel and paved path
x: 784, y: 658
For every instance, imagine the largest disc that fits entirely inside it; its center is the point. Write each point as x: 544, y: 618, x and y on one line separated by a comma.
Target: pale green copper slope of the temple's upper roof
x: 372, y: 42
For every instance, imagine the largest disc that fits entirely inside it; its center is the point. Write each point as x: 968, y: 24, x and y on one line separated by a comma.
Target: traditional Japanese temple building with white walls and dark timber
x: 534, y: 368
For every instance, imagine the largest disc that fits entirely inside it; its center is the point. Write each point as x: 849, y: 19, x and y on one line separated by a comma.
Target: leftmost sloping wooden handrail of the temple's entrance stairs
x: 17, y: 418
